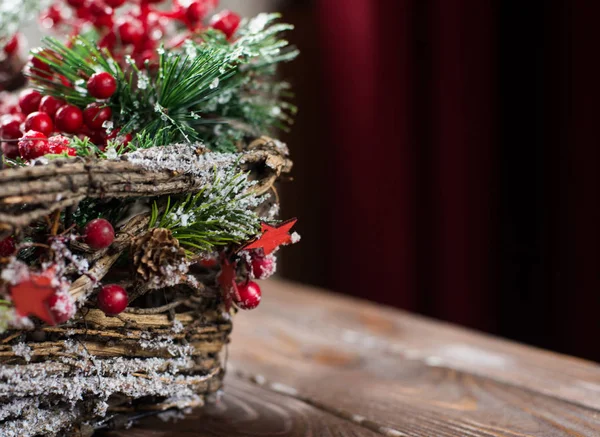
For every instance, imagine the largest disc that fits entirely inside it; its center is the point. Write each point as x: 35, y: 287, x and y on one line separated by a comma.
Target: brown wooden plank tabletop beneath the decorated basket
x: 309, y: 363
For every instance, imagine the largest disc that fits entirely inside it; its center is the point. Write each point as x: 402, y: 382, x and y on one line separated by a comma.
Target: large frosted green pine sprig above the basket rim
x: 209, y: 89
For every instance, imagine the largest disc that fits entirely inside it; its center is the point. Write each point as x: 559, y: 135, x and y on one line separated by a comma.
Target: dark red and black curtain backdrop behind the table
x: 446, y: 161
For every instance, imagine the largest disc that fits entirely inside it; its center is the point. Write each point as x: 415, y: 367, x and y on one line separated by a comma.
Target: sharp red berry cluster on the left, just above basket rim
x: 26, y: 130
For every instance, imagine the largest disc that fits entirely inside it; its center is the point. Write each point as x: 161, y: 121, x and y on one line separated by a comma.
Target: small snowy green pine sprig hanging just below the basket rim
x: 219, y: 215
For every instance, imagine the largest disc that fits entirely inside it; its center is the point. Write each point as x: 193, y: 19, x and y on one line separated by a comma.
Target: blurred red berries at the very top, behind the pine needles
x: 140, y: 26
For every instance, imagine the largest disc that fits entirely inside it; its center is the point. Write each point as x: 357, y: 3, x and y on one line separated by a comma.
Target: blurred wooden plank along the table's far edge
x: 299, y: 319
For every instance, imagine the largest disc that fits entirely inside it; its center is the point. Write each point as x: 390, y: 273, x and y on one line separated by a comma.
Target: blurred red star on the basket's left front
x: 30, y: 295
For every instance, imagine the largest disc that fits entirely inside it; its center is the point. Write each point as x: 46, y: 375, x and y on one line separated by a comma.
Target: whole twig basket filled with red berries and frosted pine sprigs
x: 137, y: 205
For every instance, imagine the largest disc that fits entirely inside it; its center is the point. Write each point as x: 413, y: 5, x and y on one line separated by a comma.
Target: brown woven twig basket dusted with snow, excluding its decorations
x: 165, y: 353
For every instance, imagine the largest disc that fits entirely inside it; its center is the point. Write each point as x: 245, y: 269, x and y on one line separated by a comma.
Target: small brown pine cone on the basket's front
x: 158, y: 258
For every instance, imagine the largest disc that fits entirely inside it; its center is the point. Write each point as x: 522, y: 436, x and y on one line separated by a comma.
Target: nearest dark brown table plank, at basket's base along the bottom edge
x: 248, y: 410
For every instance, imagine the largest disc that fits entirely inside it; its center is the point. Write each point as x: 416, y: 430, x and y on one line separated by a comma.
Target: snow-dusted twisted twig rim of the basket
x: 63, y: 183
